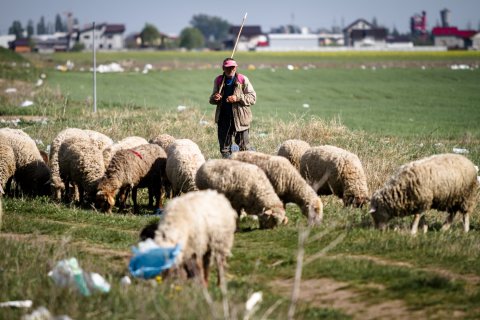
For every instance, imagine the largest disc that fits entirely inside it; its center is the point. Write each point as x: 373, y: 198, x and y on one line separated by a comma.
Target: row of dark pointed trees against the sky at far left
x: 42, y: 27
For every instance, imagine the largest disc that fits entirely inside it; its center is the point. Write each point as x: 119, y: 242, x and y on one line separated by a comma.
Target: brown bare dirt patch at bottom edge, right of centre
x: 328, y: 293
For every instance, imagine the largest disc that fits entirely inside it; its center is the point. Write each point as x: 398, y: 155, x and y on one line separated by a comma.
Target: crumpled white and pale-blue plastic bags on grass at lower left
x: 68, y: 272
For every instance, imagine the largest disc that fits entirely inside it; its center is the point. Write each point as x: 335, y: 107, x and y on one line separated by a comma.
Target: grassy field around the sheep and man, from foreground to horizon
x: 388, y: 108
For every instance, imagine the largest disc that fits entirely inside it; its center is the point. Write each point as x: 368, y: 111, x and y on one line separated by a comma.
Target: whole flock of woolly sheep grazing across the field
x: 208, y: 197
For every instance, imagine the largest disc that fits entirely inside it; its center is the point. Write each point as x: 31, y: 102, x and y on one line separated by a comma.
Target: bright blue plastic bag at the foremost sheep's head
x: 149, y: 259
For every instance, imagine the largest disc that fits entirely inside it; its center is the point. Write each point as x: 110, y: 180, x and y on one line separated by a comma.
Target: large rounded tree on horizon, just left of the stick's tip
x: 214, y: 29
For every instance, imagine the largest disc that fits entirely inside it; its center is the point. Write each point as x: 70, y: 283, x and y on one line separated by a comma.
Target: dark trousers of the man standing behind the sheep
x: 226, y: 131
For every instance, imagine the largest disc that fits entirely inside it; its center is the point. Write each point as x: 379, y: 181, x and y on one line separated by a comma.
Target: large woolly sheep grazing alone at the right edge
x: 445, y: 182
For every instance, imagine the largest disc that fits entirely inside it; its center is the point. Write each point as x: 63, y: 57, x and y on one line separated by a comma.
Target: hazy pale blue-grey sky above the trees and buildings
x: 172, y: 16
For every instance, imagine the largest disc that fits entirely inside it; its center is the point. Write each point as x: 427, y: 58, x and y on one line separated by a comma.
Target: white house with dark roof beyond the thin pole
x: 107, y: 37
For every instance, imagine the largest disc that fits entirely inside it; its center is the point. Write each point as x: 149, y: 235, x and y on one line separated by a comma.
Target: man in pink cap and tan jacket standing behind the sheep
x: 233, y: 94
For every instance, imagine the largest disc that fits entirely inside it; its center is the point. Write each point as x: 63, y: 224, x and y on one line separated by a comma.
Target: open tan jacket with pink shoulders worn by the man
x: 246, y: 96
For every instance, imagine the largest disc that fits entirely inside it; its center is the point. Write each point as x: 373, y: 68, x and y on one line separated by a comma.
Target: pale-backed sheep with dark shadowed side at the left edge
x: 32, y: 173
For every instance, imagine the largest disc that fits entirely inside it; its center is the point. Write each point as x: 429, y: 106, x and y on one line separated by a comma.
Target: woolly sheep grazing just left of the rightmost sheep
x: 332, y: 170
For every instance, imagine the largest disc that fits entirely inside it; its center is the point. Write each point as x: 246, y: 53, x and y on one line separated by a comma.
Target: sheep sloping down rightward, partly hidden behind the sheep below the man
x: 287, y: 182
